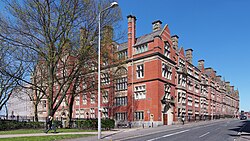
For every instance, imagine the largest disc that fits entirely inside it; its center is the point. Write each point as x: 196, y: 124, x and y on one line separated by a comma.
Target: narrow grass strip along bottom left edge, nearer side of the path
x: 45, y: 138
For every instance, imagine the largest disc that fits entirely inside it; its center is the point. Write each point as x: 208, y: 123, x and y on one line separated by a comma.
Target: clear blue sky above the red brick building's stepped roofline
x: 217, y: 30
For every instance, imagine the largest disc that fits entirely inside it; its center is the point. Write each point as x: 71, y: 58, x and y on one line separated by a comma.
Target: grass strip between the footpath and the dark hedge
x: 32, y: 131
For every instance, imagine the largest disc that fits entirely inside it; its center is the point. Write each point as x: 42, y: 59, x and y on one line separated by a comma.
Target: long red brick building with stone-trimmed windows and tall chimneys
x: 158, y: 83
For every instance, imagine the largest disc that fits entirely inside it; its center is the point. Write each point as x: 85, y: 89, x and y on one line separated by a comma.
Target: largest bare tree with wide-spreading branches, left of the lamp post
x: 48, y: 34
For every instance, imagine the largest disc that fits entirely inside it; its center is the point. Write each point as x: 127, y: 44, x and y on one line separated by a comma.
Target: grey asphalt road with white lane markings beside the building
x: 226, y: 130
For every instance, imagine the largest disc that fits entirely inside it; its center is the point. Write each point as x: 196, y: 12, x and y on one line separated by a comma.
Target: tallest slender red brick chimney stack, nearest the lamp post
x: 131, y: 34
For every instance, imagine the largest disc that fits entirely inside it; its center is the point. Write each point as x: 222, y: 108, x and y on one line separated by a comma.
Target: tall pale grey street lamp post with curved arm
x: 112, y: 5
